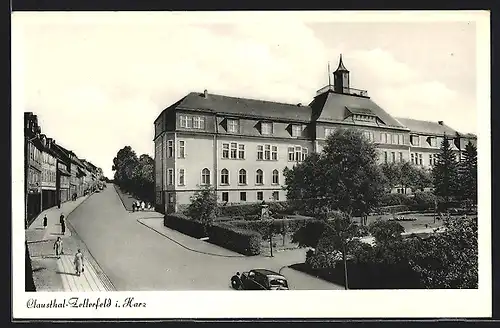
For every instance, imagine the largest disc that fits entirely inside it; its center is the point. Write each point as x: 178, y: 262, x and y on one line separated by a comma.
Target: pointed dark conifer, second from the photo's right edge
x: 445, y: 172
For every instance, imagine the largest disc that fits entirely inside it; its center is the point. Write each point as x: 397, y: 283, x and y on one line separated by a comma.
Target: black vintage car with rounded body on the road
x: 259, y: 279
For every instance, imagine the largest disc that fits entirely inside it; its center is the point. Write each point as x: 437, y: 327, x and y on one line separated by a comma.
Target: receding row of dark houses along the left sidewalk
x: 53, y: 174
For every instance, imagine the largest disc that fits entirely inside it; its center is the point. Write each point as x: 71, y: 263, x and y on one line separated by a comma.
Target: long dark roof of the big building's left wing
x: 245, y: 107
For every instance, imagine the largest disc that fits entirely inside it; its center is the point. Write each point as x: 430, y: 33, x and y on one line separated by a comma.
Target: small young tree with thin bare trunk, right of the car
x: 338, y: 237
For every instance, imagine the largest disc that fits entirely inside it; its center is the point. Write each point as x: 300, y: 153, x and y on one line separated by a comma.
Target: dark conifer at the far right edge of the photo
x: 468, y: 175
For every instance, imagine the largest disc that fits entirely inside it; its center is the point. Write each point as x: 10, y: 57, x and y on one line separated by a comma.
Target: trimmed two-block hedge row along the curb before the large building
x: 240, y: 240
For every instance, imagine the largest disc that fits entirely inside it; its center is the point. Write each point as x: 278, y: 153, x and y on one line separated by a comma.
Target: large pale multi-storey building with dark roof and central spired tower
x: 242, y: 146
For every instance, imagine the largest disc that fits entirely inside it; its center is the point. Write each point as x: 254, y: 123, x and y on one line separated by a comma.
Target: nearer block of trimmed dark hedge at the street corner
x: 243, y: 241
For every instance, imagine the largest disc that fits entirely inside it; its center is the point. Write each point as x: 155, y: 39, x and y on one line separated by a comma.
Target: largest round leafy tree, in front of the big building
x: 344, y: 177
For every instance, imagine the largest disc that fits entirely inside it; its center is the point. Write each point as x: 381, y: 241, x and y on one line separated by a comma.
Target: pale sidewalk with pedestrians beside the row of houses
x: 51, y: 273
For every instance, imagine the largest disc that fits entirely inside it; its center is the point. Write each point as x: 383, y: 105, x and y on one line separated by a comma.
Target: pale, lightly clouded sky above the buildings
x: 98, y: 82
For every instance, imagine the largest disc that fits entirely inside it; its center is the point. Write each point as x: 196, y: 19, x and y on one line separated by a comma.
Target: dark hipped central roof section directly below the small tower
x: 337, y: 107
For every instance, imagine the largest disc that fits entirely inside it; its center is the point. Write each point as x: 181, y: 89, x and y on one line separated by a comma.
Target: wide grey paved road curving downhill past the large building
x: 143, y: 255
